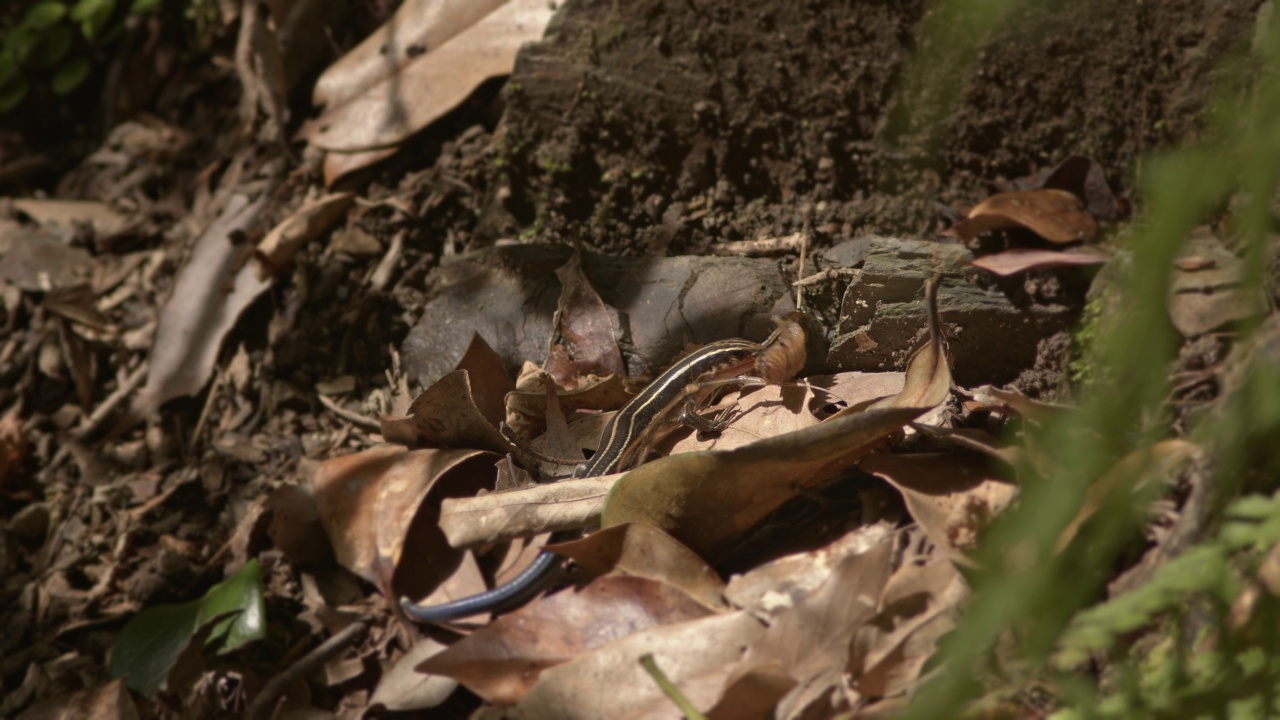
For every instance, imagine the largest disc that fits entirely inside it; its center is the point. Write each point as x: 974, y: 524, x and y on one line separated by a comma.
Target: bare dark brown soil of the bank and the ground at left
x: 657, y: 127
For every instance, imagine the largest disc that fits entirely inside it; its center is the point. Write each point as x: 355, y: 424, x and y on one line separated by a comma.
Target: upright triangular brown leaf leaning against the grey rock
x: 583, y: 336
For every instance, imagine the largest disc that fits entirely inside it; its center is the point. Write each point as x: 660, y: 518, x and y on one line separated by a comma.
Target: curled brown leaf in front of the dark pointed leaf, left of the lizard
x: 446, y: 416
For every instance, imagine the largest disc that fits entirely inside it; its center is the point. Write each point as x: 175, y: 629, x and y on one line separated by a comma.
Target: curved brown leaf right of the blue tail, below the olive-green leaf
x: 642, y: 552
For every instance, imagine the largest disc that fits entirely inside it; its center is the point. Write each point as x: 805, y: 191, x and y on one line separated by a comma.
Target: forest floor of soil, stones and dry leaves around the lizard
x: 176, y: 402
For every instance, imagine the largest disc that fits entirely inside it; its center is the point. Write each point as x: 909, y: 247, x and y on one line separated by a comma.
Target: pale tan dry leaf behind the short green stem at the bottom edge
x: 696, y: 655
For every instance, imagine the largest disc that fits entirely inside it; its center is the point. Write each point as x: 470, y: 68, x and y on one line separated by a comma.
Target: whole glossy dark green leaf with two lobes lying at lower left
x: 152, y: 642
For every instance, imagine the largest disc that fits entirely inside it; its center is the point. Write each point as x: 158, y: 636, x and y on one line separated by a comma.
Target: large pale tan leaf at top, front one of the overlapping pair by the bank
x: 390, y: 112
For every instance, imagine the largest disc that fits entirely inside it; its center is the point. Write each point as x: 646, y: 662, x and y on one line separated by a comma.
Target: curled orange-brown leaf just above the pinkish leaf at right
x: 1054, y: 215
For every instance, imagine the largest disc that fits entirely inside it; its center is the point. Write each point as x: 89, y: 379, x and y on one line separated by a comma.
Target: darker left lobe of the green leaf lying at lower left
x: 152, y: 642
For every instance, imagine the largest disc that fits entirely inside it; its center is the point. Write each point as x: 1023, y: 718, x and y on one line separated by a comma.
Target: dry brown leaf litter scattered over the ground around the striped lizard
x: 93, y: 272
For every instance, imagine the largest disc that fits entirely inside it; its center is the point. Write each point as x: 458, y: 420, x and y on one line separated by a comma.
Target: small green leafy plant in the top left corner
x: 53, y: 44
